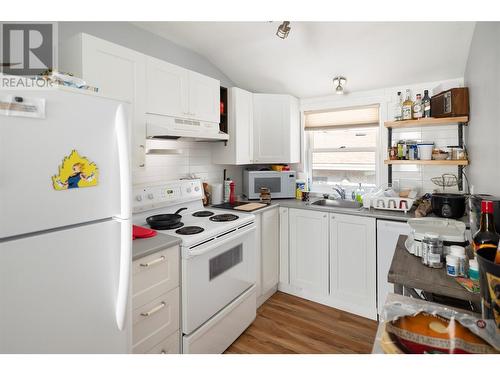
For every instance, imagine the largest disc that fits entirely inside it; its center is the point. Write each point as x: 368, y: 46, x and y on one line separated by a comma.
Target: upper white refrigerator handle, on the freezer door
x: 121, y: 129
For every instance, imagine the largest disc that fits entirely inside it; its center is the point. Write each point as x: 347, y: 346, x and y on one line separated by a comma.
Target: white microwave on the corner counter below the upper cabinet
x: 281, y: 184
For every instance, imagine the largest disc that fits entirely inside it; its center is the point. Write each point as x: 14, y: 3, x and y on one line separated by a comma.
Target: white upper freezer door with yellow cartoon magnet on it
x: 32, y: 150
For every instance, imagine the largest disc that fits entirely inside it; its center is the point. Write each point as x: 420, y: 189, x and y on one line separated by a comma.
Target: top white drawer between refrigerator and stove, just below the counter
x: 155, y: 275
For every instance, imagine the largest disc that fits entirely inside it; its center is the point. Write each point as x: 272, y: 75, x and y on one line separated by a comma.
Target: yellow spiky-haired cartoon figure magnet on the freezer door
x: 75, y: 171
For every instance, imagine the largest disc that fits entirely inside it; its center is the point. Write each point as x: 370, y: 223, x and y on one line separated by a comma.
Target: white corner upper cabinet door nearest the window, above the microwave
x: 276, y: 126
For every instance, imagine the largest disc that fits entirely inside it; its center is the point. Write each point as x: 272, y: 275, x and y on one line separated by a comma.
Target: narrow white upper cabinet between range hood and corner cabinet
x: 239, y: 148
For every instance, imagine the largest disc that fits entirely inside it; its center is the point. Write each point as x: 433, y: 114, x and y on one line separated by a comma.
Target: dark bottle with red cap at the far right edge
x: 485, y: 240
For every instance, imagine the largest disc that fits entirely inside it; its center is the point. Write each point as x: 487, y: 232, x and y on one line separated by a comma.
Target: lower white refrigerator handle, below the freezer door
x: 124, y: 276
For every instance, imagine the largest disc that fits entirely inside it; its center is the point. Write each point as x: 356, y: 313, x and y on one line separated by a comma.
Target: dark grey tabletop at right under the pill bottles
x: 408, y: 270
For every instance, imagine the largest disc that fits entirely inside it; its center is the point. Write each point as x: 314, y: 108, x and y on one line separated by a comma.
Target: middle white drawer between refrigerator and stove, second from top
x: 161, y: 313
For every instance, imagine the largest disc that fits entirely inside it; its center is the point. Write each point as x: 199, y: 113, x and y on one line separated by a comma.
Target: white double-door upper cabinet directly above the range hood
x: 178, y: 92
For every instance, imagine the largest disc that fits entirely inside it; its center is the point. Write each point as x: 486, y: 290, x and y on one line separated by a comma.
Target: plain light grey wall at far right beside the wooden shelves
x: 482, y: 76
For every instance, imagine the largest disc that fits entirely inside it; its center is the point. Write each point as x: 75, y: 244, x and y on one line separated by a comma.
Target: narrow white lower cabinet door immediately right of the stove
x: 267, y: 246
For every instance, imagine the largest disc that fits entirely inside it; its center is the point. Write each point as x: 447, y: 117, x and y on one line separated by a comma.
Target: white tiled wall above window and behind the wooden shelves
x: 411, y: 176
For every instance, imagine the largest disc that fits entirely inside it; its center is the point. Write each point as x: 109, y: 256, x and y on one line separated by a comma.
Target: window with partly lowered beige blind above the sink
x: 342, y: 146
